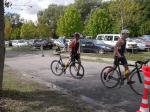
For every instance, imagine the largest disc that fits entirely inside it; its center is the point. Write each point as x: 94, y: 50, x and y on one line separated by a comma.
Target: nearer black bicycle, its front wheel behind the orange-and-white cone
x: 114, y: 77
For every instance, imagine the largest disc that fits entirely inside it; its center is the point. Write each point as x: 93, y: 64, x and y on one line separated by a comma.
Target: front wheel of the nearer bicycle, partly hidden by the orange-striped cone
x: 137, y: 87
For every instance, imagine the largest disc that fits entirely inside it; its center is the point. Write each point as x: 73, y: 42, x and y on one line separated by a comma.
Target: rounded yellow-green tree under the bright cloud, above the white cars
x: 28, y: 30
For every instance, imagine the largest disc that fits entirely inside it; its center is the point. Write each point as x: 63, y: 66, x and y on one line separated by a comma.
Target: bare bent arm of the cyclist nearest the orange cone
x: 119, y: 43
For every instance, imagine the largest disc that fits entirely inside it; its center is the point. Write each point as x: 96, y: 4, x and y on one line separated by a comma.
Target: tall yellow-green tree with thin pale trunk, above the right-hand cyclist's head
x: 125, y: 14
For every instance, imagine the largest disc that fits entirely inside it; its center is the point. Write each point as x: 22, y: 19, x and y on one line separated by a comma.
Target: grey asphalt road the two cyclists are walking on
x: 108, y: 100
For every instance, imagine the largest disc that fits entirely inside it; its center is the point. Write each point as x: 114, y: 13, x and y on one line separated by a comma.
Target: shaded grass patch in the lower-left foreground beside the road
x: 20, y: 95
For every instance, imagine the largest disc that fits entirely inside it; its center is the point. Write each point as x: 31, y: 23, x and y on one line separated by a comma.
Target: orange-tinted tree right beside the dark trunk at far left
x: 8, y: 29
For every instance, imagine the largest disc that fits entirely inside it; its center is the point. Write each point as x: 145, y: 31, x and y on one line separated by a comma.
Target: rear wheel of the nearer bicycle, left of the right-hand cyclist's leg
x: 110, y: 77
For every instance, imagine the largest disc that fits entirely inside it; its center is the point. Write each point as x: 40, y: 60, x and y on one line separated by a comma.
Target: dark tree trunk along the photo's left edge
x: 2, y: 42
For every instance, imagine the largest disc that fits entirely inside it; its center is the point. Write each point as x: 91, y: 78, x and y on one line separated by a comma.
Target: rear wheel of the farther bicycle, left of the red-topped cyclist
x: 58, y: 66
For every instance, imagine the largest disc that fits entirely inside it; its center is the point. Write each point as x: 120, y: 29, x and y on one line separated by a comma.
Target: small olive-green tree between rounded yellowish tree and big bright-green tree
x: 43, y: 31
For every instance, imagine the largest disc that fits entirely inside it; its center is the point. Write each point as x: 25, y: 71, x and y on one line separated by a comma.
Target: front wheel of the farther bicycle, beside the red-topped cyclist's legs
x: 73, y: 66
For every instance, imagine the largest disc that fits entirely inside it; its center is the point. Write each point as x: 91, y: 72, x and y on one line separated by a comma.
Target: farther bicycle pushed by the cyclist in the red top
x: 58, y: 68
